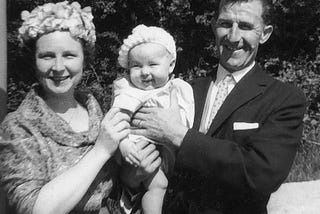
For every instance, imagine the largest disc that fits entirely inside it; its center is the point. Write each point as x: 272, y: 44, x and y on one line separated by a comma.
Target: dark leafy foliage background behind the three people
x: 292, y: 54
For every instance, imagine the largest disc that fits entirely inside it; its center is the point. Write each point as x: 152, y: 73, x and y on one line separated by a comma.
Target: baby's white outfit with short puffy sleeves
x: 131, y: 98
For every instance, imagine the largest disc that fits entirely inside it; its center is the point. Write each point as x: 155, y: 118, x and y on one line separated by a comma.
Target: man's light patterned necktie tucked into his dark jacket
x: 222, y: 93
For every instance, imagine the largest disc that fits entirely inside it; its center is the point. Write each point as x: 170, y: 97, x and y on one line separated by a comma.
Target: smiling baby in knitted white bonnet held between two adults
x: 149, y: 54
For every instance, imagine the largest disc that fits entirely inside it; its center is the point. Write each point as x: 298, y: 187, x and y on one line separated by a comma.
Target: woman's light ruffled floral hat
x: 61, y: 16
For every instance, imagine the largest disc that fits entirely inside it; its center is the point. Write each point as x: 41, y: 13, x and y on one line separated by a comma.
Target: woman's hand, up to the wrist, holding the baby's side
x: 114, y: 127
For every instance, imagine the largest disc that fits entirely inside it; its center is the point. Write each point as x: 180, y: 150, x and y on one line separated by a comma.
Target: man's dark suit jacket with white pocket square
x: 235, y: 171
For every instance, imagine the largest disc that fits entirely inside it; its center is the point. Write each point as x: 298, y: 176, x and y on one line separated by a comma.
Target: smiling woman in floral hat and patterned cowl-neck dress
x: 58, y: 156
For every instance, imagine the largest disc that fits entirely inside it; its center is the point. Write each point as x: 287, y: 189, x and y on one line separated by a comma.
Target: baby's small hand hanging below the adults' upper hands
x: 129, y: 152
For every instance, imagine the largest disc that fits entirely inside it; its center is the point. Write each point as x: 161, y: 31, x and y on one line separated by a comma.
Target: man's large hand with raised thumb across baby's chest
x: 161, y: 125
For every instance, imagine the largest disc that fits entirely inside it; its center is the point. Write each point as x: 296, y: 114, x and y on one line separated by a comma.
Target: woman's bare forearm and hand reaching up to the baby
x: 64, y: 192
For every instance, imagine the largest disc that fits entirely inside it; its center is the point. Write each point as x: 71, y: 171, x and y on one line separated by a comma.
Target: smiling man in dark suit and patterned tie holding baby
x: 241, y: 147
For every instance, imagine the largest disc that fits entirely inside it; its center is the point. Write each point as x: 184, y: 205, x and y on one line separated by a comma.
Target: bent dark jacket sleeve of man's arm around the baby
x: 262, y: 162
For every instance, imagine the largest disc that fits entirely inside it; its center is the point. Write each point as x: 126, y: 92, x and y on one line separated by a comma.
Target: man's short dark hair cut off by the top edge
x: 266, y: 4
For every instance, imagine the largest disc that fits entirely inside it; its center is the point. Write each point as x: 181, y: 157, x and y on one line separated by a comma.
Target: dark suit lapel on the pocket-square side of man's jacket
x: 250, y: 86
